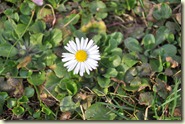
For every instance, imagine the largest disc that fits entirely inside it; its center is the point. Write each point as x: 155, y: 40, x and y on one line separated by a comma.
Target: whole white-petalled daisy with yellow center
x: 83, y: 56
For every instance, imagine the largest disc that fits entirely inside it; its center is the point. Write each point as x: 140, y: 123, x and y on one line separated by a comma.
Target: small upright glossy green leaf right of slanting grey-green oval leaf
x: 149, y: 41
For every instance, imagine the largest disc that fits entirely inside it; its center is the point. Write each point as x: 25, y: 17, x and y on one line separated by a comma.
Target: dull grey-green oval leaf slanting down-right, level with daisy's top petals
x: 132, y: 44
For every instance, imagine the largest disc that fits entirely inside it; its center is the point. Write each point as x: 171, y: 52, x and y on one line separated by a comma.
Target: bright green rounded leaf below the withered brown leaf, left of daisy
x: 37, y: 78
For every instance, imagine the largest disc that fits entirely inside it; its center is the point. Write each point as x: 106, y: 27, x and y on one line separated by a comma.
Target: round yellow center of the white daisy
x: 81, y: 55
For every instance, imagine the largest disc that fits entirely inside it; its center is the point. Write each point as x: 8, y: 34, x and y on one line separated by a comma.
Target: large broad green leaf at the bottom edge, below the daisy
x: 98, y: 111
